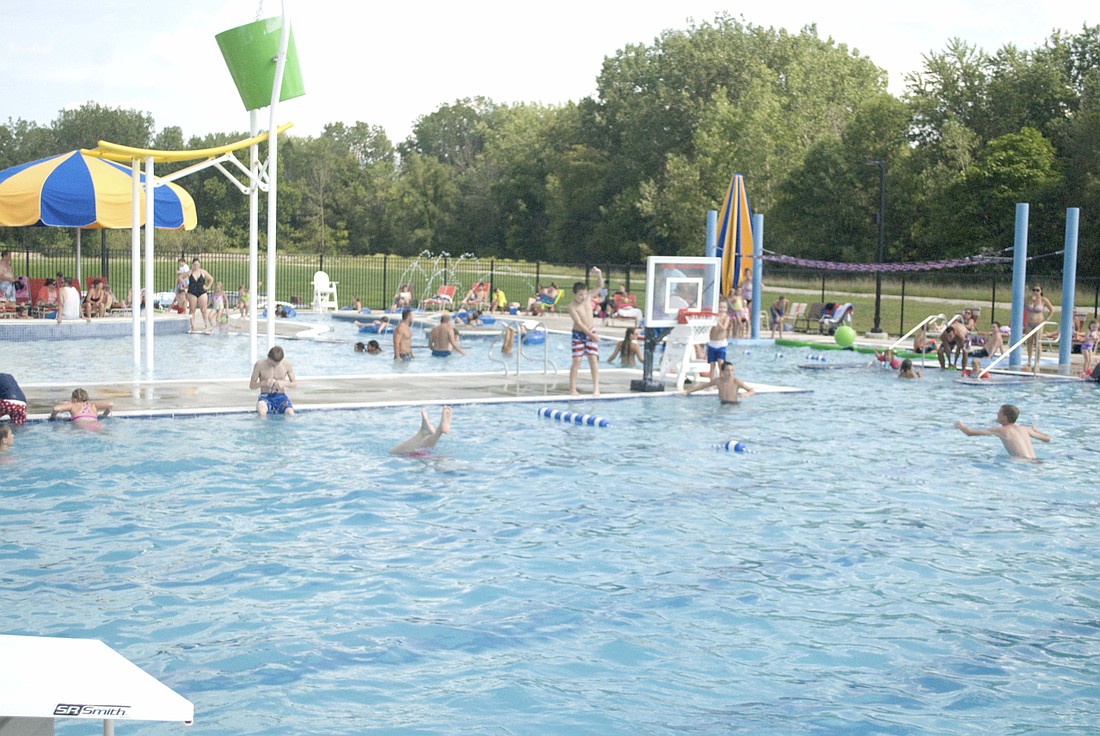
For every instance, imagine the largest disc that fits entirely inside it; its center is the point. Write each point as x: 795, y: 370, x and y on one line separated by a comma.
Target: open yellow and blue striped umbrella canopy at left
x: 78, y: 191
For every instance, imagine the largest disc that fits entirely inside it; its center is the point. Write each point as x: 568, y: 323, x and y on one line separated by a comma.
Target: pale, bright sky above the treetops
x: 388, y: 63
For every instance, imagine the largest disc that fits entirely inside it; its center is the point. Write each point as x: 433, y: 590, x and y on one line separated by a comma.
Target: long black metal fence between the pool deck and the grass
x: 376, y: 280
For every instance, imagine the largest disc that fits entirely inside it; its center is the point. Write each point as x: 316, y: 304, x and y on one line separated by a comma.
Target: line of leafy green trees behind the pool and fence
x: 632, y: 171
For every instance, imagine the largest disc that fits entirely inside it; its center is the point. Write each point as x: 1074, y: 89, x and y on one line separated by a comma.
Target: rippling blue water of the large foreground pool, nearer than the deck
x: 866, y: 570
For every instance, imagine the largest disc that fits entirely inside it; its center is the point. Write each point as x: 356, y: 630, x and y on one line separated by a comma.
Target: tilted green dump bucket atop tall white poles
x: 250, y: 53
